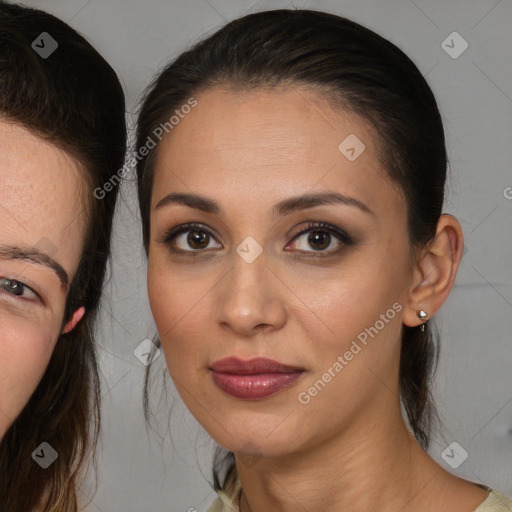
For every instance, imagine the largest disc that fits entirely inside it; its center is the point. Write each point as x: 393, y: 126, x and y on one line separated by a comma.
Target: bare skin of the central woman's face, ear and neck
x: 348, y: 447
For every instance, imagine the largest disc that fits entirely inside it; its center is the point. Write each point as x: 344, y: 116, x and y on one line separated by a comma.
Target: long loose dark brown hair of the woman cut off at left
x: 74, y: 100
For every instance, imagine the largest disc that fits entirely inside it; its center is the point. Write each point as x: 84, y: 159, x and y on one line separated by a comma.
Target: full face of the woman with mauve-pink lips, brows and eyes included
x: 324, y: 305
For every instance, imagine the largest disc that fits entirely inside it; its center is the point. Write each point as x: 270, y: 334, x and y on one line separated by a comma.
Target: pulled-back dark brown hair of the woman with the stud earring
x: 359, y: 71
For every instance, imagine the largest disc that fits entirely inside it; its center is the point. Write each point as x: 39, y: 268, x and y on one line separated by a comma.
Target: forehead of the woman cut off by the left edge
x: 41, y: 197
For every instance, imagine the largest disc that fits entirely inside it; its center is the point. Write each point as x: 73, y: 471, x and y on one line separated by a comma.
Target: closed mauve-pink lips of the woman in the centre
x: 254, y: 379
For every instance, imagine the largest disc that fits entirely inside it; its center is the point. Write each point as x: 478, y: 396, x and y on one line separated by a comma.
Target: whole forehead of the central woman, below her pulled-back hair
x: 266, y: 141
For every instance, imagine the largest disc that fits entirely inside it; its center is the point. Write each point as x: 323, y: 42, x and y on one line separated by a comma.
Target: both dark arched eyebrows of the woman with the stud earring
x: 282, y: 208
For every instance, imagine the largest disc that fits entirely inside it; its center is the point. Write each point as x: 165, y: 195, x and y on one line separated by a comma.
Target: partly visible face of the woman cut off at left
x: 41, y: 236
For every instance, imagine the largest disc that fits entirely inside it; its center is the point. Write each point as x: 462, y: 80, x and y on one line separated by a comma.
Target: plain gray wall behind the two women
x: 140, y: 472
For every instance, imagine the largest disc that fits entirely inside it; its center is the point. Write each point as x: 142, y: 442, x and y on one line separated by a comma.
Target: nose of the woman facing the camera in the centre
x: 250, y: 299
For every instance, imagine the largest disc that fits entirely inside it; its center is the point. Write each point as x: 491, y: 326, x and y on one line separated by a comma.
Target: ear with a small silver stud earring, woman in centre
x: 435, y: 271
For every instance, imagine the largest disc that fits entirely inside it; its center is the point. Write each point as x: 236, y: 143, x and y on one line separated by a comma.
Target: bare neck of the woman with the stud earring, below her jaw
x: 372, y: 465
